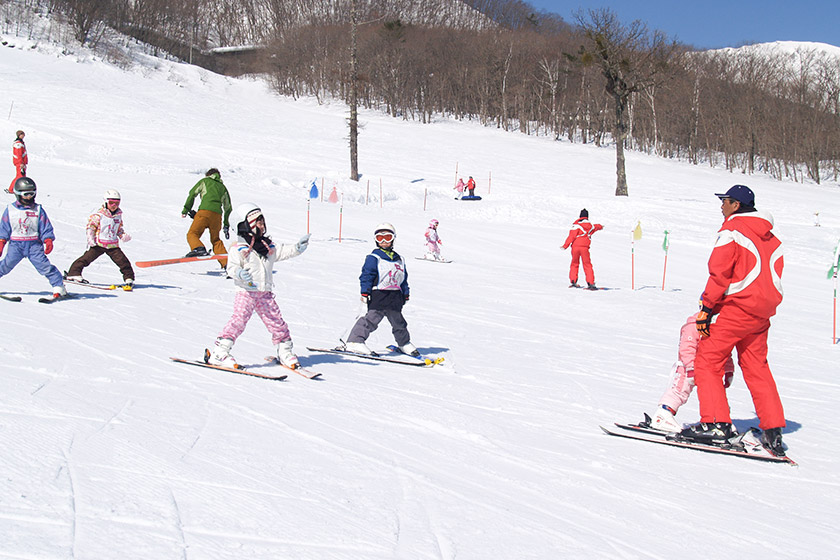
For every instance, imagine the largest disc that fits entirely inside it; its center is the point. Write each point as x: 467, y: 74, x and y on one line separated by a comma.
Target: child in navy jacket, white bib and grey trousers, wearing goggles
x: 384, y: 287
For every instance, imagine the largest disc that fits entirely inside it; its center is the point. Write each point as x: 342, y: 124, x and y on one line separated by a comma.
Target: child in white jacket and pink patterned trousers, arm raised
x: 250, y: 263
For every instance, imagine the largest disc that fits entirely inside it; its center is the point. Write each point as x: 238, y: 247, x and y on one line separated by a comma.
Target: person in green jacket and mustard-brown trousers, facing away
x: 215, y: 201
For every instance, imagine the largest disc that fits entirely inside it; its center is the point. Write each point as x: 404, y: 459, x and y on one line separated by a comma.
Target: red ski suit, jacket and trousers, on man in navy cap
x: 744, y: 289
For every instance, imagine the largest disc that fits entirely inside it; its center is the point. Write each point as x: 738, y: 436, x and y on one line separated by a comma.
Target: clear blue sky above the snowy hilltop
x: 720, y: 23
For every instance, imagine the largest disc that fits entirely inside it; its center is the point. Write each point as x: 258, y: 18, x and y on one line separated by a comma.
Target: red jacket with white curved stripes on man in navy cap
x: 745, y: 268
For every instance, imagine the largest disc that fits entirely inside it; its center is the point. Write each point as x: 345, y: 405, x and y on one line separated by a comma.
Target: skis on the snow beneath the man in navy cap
x: 747, y: 445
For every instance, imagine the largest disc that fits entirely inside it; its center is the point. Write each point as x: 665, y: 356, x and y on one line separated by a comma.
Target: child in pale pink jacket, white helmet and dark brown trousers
x: 104, y: 232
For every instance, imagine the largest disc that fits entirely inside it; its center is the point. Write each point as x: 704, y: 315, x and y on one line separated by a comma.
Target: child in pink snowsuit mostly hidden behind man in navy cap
x: 682, y: 379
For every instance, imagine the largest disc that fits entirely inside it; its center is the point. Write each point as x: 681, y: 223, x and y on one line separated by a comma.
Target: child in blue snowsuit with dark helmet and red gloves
x: 29, y: 233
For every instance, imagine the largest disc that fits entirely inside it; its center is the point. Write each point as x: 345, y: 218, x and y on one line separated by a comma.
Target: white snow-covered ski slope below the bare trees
x: 112, y: 451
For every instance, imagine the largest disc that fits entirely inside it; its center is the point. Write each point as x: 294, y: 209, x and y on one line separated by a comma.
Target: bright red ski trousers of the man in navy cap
x: 748, y: 335
